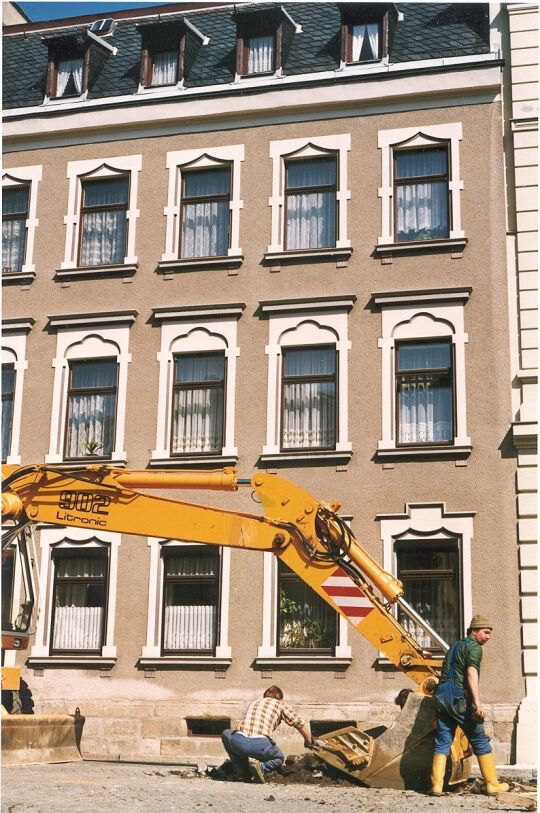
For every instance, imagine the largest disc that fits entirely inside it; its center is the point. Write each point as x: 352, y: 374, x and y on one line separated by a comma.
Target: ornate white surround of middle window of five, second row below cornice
x: 196, y: 330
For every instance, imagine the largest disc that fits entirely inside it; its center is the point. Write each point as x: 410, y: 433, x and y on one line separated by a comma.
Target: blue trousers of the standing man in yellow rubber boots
x: 451, y: 698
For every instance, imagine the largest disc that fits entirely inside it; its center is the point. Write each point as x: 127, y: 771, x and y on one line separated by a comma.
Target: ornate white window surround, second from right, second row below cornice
x: 306, y: 324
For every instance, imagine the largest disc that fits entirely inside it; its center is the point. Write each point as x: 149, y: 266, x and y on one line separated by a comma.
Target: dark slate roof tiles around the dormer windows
x: 428, y: 30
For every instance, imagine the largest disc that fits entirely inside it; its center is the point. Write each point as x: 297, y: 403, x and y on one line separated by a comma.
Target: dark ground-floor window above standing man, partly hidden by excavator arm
x: 430, y: 572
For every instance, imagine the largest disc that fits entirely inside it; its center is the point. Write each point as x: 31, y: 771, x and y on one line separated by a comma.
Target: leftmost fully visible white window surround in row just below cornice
x: 93, y: 169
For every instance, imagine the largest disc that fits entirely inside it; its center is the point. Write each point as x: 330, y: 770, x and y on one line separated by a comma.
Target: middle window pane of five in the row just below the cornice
x: 206, y: 196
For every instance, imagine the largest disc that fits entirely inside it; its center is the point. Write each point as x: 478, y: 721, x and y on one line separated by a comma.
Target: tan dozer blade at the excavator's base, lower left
x: 29, y: 739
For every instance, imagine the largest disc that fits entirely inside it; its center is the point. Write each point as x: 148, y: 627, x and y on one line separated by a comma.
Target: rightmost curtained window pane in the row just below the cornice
x: 421, y: 181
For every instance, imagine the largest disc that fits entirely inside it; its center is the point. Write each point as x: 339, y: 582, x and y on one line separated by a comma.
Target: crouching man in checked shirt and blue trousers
x: 250, y: 747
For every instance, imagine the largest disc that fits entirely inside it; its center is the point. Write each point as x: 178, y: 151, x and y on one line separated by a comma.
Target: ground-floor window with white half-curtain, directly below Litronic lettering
x: 79, y: 601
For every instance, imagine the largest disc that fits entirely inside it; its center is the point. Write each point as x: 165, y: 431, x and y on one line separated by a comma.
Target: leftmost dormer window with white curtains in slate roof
x: 67, y: 74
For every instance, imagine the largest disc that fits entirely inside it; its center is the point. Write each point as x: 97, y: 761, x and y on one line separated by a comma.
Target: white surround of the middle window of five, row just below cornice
x: 201, y: 159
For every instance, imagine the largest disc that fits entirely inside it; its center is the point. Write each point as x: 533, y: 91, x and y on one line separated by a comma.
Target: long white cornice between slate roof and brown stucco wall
x: 226, y: 106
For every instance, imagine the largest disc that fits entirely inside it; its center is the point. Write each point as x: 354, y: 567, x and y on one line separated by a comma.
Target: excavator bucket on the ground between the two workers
x: 397, y: 757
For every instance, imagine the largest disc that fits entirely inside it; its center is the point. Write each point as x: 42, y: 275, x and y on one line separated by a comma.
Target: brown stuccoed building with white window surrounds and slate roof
x: 275, y: 237
